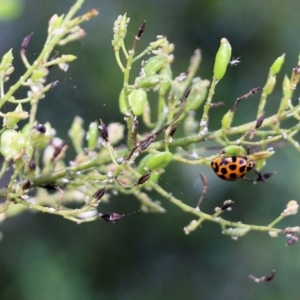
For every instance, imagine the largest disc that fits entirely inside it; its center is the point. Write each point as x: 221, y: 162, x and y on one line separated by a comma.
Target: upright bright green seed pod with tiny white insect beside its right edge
x: 222, y: 59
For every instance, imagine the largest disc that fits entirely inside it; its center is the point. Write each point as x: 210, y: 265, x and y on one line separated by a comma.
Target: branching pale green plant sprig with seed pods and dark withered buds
x: 103, y: 165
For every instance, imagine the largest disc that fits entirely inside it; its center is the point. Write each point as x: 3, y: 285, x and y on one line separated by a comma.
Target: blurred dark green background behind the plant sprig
x: 147, y: 256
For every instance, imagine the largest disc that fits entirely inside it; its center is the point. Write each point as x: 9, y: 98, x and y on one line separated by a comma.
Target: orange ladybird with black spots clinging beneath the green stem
x: 232, y: 168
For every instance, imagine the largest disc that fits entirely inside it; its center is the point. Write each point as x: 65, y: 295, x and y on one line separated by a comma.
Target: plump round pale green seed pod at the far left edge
x: 11, y: 143
